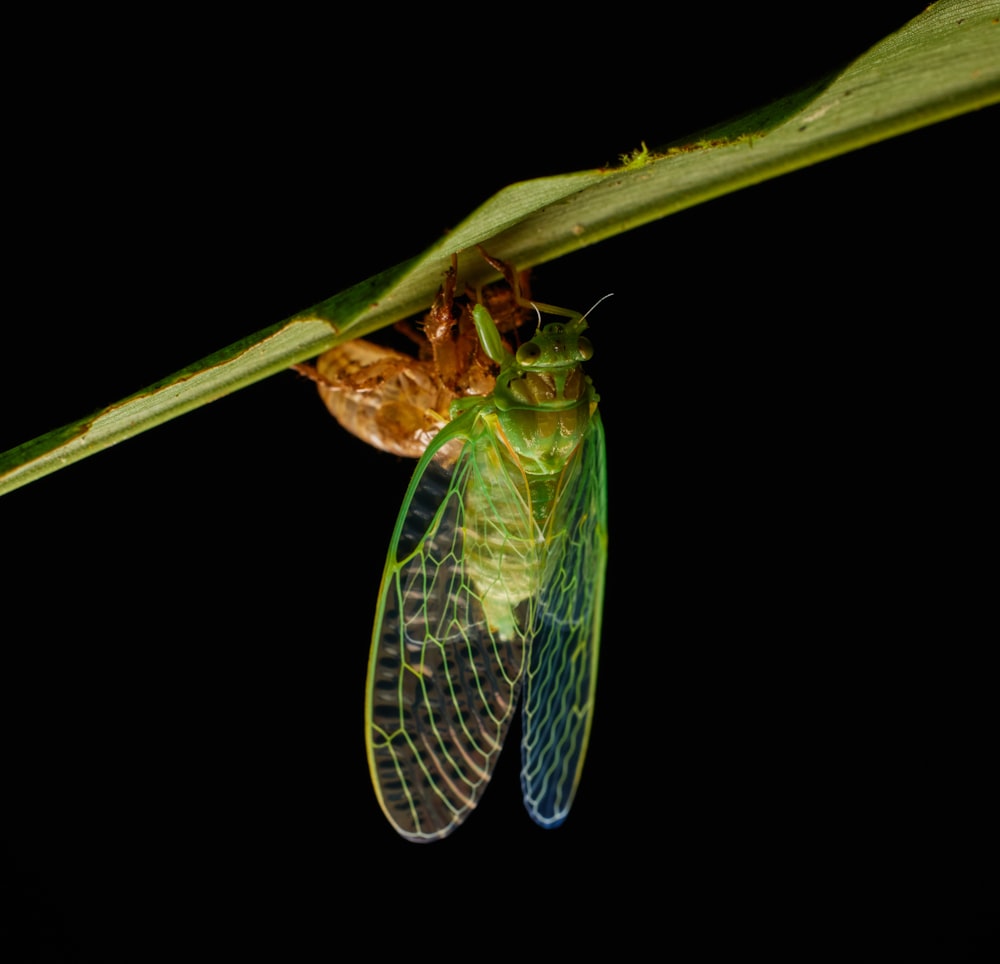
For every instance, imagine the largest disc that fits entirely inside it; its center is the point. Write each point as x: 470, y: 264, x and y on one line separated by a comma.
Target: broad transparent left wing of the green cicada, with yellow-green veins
x: 443, y: 678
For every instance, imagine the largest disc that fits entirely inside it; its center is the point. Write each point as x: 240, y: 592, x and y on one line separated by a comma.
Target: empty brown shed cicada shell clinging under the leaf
x: 398, y: 402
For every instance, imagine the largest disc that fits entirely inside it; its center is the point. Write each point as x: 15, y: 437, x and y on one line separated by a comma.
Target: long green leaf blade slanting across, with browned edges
x: 943, y: 63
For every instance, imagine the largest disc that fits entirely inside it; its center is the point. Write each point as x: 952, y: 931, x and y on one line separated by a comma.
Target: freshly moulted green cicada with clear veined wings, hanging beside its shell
x: 492, y: 593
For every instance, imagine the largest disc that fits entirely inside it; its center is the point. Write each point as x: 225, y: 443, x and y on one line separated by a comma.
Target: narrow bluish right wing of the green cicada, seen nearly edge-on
x: 562, y: 666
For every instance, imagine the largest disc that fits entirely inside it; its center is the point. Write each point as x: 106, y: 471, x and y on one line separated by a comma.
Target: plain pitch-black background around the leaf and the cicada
x: 795, y: 719
